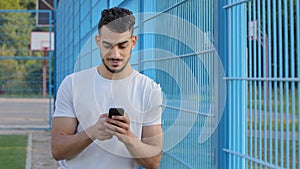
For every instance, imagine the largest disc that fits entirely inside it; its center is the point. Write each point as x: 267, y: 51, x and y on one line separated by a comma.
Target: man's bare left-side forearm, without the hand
x: 68, y: 146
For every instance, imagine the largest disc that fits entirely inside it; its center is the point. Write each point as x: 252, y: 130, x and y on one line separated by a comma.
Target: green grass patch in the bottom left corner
x: 13, y: 151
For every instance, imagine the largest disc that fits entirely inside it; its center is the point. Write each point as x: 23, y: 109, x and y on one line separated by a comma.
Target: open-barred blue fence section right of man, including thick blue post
x: 264, y: 81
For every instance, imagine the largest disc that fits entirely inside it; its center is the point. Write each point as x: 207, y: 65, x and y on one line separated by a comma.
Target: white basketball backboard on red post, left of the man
x: 41, y: 41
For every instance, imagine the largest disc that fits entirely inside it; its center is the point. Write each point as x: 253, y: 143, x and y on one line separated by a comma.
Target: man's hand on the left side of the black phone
x: 98, y: 130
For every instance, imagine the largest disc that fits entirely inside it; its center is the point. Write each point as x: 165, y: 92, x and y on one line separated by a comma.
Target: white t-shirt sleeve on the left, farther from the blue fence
x: 64, y: 102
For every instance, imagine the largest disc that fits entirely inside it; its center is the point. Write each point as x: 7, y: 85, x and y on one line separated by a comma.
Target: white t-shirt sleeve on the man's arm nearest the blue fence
x: 154, y: 110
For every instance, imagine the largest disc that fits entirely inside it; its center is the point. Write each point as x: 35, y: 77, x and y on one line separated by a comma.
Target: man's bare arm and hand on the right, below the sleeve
x: 146, y: 152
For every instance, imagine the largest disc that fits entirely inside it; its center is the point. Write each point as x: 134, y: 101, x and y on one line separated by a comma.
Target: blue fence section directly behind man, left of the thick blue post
x: 180, y: 36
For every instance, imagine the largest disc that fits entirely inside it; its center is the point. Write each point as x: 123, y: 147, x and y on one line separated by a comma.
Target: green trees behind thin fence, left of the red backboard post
x: 19, y: 77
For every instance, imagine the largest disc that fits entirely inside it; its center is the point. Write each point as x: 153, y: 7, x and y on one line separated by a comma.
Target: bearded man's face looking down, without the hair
x: 115, y: 48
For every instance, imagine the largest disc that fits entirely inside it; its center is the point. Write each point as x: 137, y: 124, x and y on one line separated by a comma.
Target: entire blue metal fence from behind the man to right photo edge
x: 259, y: 127
